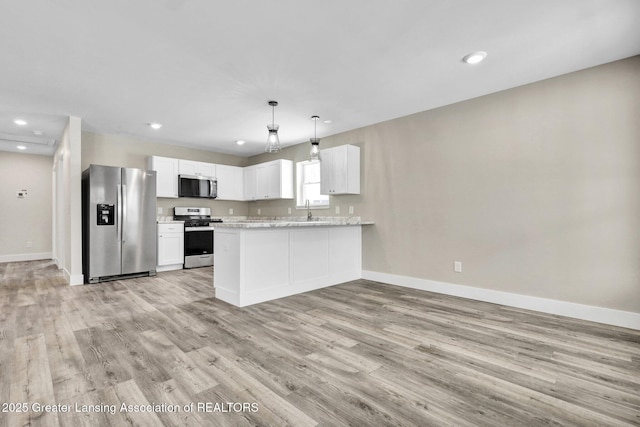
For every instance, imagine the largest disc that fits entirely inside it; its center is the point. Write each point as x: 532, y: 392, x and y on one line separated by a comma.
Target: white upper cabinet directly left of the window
x: 271, y: 180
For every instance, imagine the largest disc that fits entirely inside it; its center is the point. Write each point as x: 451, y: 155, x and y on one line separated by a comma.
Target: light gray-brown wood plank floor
x: 361, y: 353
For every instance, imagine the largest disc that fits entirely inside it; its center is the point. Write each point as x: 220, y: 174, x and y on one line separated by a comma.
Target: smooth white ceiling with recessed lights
x: 206, y: 69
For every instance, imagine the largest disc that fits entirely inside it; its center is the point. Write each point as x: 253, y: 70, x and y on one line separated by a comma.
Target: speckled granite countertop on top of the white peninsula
x: 281, y: 222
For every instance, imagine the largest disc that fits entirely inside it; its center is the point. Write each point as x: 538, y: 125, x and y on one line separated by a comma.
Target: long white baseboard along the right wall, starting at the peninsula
x: 626, y: 319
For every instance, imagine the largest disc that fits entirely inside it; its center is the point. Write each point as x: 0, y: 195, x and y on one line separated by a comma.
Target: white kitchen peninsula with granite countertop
x: 262, y: 260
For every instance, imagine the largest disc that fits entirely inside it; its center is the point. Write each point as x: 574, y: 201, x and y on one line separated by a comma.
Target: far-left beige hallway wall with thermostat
x: 27, y: 219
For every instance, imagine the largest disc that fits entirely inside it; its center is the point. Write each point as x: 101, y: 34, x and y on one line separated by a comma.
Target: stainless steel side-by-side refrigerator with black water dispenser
x: 118, y: 223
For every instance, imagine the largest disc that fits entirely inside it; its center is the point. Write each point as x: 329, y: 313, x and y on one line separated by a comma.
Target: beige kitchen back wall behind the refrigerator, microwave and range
x: 123, y: 151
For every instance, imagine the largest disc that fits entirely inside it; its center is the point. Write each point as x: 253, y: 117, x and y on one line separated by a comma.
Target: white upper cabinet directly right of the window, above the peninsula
x: 340, y: 170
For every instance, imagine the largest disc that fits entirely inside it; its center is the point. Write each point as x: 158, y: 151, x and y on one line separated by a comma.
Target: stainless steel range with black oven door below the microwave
x: 198, y: 235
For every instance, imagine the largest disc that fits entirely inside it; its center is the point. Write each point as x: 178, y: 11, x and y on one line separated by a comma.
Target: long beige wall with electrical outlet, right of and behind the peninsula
x: 535, y: 189
